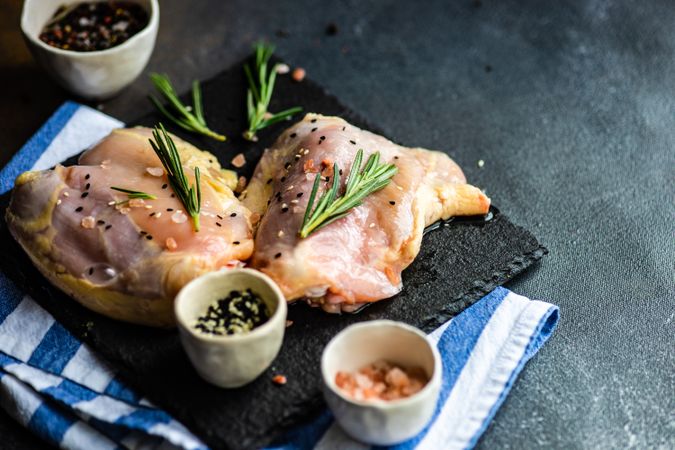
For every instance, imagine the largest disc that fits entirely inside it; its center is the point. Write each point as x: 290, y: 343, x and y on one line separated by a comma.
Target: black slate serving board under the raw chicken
x: 458, y: 264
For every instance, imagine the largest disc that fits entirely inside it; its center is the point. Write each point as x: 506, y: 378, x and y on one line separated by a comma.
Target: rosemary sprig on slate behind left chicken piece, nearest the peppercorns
x: 186, y: 117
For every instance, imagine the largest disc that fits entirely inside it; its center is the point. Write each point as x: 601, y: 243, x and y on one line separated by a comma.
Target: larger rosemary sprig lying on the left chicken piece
x: 190, y: 196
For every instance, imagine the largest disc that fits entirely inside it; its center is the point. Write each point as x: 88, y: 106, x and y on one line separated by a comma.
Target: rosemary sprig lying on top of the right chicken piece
x: 360, y: 183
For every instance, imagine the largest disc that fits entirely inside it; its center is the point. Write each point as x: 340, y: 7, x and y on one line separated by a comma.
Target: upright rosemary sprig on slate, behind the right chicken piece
x: 260, y: 91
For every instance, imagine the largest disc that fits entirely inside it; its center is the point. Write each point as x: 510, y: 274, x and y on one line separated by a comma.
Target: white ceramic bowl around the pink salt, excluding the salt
x: 381, y: 422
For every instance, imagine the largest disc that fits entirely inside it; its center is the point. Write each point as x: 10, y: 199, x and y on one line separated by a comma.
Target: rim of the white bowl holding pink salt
x: 434, y: 379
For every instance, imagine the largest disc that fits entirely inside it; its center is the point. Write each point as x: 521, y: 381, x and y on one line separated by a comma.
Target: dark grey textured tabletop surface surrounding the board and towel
x: 572, y: 107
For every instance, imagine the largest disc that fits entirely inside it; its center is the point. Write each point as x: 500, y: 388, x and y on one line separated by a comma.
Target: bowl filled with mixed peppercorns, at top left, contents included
x: 94, y: 48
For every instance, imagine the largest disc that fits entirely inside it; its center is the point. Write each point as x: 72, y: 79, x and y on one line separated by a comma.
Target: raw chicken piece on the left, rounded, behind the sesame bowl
x: 127, y: 258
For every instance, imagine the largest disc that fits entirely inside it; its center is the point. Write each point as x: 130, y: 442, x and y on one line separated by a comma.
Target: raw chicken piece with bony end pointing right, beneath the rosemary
x: 359, y: 258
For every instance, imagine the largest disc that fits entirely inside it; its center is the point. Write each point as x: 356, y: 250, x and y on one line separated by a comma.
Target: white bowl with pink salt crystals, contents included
x: 381, y: 381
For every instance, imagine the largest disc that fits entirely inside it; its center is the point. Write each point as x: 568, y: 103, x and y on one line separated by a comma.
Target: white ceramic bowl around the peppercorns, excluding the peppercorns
x: 91, y: 75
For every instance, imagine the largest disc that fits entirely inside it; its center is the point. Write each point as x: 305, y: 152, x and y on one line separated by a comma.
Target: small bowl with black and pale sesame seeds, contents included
x: 231, y: 325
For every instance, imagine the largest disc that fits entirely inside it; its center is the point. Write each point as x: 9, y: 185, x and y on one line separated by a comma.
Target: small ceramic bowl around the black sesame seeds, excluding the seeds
x: 232, y: 360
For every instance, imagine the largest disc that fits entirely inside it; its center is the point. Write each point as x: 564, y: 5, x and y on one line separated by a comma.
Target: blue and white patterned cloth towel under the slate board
x: 61, y: 390
